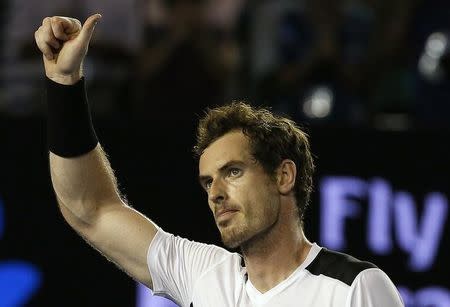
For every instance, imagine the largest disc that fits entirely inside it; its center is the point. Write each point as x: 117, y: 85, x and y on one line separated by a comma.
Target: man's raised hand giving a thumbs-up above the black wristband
x: 64, y: 42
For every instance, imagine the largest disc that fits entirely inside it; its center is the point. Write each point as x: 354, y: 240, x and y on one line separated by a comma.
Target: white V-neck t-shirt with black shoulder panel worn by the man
x: 201, y: 275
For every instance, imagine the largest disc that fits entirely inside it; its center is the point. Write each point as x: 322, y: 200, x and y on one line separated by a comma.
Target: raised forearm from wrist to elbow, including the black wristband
x: 82, y: 177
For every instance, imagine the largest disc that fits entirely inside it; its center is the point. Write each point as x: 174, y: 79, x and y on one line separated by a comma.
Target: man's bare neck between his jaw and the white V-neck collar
x: 271, y: 257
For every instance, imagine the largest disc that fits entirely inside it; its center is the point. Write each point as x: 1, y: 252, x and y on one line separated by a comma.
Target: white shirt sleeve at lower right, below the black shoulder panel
x: 373, y: 288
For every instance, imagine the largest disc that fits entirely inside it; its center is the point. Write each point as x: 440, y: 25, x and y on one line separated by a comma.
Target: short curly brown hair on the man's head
x: 272, y: 139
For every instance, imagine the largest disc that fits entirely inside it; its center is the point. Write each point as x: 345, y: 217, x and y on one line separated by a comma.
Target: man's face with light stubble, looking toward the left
x: 243, y: 198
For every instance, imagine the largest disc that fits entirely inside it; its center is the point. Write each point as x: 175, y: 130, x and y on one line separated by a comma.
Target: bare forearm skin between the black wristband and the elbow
x: 84, y: 185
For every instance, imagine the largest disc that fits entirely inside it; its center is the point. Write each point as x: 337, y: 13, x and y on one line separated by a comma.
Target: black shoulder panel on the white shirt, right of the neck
x: 338, y: 266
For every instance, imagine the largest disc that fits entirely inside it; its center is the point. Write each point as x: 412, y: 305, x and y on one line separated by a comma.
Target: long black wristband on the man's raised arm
x: 70, y: 132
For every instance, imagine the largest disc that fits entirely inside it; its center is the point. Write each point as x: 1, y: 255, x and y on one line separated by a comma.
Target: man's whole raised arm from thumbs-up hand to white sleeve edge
x: 82, y: 178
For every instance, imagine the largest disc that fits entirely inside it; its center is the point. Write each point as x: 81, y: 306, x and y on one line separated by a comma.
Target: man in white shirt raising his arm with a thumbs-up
x: 256, y: 169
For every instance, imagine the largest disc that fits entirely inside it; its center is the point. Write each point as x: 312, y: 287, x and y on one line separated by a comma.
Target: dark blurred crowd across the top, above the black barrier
x: 376, y: 63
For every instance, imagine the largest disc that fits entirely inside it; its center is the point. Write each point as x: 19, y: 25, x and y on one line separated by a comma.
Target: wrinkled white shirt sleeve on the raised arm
x: 175, y: 265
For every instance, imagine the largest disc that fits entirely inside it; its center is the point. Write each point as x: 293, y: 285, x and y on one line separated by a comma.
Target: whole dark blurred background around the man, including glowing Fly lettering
x: 369, y: 80
